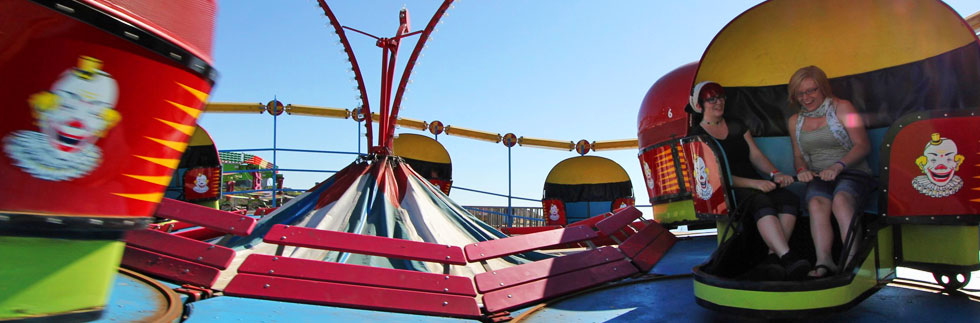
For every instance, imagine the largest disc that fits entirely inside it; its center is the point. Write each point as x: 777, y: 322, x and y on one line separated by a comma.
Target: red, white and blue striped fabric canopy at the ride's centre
x: 381, y: 197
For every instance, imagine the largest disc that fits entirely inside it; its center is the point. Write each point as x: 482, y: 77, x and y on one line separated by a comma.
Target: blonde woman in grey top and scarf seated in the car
x: 829, y: 147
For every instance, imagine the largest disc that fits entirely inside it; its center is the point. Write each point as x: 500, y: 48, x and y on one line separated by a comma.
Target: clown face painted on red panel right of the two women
x: 939, y: 163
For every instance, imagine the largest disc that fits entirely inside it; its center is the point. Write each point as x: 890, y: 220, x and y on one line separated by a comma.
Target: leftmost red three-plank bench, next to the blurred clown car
x: 180, y: 259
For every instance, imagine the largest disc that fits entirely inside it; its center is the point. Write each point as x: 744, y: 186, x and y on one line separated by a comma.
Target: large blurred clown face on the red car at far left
x: 72, y: 117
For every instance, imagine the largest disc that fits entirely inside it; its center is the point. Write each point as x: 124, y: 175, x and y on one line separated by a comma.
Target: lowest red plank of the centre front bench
x: 336, y: 294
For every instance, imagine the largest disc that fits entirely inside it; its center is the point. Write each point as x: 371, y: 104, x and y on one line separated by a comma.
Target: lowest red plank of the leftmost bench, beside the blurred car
x: 170, y: 268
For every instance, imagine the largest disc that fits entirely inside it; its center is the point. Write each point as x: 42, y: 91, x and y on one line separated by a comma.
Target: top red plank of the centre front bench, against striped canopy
x: 364, y: 244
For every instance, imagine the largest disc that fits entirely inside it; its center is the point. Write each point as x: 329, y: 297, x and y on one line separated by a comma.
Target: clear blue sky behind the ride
x: 564, y: 70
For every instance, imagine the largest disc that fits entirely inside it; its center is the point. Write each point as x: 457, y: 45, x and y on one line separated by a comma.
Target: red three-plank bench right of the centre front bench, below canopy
x: 516, y: 286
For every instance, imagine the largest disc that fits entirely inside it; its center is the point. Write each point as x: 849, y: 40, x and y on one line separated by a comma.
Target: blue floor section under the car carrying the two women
x: 672, y: 300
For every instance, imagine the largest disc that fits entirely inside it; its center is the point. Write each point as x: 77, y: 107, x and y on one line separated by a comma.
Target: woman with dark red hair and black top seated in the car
x: 773, y: 209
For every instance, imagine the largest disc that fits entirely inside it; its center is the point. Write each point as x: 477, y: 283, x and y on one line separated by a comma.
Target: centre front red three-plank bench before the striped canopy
x: 338, y: 284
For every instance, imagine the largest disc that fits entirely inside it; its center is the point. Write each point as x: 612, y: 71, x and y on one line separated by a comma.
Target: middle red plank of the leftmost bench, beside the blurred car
x: 181, y: 247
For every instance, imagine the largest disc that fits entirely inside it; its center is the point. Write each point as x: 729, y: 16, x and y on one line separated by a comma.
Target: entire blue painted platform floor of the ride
x: 668, y: 298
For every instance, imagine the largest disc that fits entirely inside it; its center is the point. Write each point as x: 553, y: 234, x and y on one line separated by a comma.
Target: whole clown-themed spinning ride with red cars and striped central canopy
x: 104, y: 122
